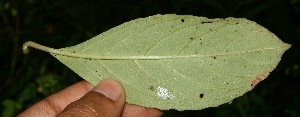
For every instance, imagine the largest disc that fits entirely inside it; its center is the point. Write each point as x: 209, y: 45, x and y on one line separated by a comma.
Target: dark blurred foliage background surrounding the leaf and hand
x: 61, y: 23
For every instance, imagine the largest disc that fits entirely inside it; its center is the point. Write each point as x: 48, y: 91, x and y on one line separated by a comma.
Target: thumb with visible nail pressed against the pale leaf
x: 107, y: 99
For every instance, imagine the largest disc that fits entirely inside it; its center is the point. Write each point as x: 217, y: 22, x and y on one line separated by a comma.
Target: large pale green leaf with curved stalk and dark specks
x: 177, y: 62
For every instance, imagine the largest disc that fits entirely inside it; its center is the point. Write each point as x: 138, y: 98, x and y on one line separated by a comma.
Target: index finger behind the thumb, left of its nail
x: 54, y: 104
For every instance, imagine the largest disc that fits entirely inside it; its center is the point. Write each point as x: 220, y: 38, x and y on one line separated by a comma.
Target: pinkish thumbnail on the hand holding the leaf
x: 110, y: 88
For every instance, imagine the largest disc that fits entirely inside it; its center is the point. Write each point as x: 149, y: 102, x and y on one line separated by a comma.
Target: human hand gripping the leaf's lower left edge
x: 107, y: 99
